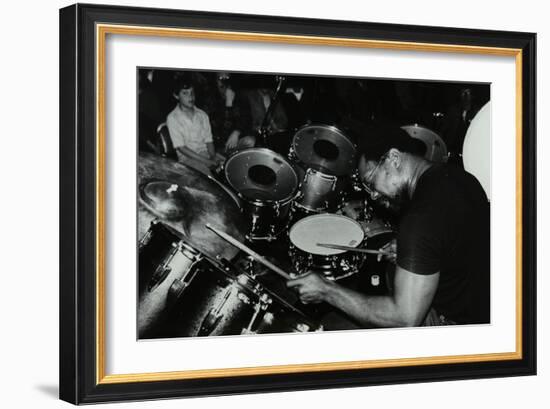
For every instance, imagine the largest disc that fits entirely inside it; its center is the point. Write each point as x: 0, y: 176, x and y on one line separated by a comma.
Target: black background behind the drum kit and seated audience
x: 444, y: 107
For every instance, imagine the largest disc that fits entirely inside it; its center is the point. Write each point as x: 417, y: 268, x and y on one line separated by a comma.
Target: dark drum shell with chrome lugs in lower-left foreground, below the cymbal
x: 198, y: 297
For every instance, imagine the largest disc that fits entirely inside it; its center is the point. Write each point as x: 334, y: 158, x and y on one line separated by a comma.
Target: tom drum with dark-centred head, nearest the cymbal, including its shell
x: 267, y: 183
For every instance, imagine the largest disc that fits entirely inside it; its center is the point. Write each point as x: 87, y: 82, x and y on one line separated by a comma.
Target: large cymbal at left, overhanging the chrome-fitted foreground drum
x: 186, y: 199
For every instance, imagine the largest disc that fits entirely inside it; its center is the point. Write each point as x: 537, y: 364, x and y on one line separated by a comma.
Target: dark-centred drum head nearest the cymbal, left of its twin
x: 261, y: 174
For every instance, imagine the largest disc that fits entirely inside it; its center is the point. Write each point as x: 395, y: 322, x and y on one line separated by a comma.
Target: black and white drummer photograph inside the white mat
x: 276, y: 203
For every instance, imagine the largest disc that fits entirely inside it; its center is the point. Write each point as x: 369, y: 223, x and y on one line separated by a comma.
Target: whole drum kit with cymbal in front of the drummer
x: 299, y: 210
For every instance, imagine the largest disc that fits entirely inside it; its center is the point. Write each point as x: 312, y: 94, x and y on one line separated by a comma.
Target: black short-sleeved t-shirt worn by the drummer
x: 446, y: 228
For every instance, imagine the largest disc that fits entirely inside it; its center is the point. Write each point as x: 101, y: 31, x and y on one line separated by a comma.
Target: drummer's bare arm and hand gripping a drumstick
x: 413, y: 295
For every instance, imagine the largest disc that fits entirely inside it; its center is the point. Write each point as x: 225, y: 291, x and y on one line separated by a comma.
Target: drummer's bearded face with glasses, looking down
x: 384, y: 180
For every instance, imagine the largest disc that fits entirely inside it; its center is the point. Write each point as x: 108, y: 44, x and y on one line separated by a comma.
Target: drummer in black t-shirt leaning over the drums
x: 442, y: 272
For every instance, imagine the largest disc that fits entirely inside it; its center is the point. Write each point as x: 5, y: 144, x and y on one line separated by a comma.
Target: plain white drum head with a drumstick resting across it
x: 326, y: 228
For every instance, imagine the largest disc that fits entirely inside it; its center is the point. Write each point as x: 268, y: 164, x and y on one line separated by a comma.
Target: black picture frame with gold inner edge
x: 84, y: 174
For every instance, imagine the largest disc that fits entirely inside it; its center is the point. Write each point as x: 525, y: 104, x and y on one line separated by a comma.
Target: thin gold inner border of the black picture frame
x: 102, y: 30
